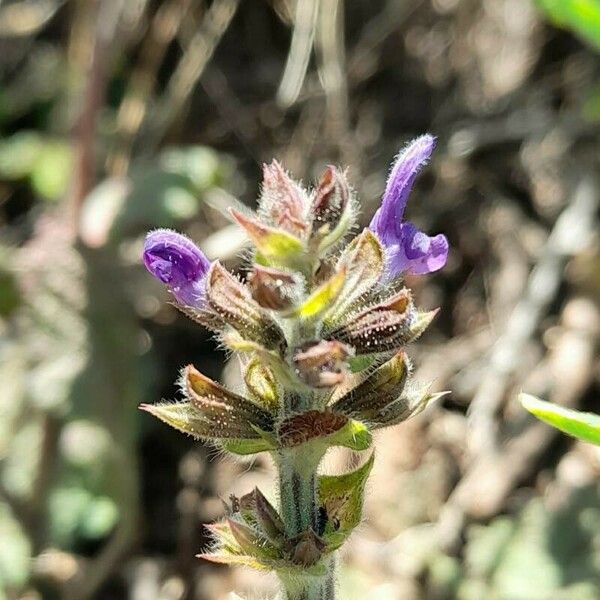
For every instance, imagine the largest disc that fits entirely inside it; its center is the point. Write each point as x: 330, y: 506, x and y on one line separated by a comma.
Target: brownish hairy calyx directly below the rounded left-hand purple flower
x: 232, y: 301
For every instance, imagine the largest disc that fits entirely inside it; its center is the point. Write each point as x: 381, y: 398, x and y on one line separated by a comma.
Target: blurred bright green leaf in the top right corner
x: 580, y: 16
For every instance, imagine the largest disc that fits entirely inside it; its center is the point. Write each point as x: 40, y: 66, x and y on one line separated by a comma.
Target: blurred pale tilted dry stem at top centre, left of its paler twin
x: 305, y: 23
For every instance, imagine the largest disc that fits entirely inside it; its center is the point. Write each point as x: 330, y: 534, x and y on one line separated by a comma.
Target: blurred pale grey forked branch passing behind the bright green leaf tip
x: 494, y: 472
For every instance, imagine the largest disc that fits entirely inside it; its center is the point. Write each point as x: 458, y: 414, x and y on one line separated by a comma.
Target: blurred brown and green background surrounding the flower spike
x: 117, y: 116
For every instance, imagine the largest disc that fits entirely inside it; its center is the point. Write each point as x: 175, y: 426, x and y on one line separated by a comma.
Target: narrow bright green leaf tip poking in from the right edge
x: 584, y: 426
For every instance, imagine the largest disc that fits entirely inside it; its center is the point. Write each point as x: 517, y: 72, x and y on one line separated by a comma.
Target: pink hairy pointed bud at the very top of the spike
x: 283, y: 202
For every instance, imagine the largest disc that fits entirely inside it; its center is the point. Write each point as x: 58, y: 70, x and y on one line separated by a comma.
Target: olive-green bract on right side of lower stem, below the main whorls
x: 342, y: 498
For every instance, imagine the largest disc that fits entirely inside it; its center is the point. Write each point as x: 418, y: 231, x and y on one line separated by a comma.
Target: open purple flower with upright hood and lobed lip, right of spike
x: 408, y: 249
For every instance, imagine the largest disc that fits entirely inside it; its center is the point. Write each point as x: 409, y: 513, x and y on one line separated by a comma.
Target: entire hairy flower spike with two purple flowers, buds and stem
x: 322, y: 328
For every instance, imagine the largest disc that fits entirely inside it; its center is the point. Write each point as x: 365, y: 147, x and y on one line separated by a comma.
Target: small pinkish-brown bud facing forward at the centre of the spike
x: 322, y: 364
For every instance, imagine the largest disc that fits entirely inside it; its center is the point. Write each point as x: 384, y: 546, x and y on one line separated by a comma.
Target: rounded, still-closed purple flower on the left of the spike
x: 179, y: 263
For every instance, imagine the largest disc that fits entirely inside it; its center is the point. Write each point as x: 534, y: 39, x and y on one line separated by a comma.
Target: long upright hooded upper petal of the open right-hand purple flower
x: 386, y: 221
